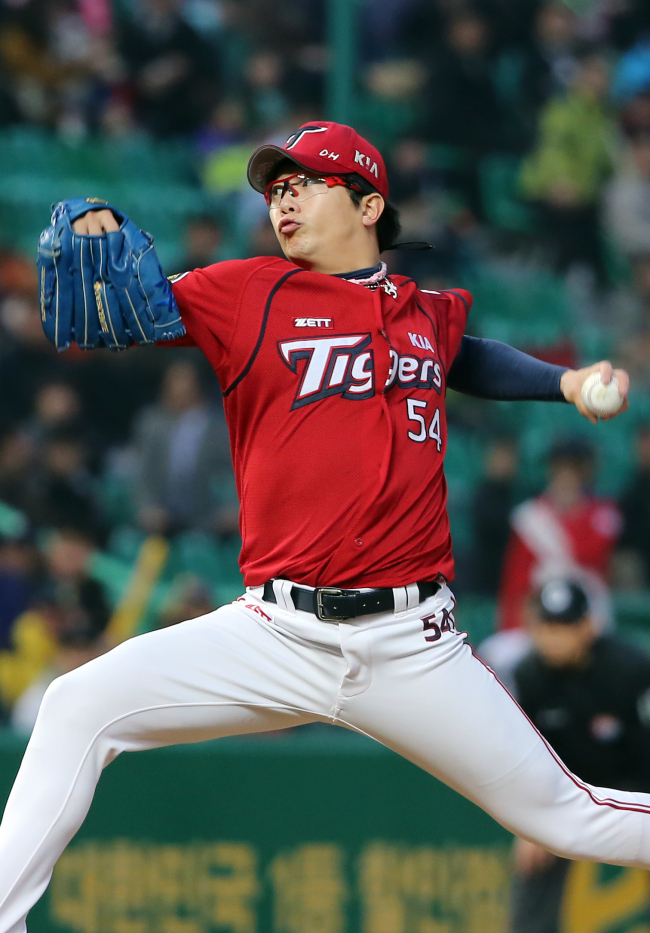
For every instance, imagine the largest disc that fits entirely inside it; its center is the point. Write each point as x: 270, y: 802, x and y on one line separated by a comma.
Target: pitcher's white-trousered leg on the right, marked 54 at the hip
x: 432, y: 701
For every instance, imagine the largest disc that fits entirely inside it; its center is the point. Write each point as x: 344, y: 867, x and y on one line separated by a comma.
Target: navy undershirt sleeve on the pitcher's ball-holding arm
x: 489, y: 369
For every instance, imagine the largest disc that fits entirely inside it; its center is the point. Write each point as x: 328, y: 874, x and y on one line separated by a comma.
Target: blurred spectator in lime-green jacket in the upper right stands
x: 567, y: 170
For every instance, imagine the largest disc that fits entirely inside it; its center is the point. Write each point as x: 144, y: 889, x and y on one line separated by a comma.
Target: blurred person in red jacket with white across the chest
x: 565, y: 530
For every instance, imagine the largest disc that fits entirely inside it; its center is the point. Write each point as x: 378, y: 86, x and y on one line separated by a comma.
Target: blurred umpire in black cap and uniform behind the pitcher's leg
x: 589, y: 696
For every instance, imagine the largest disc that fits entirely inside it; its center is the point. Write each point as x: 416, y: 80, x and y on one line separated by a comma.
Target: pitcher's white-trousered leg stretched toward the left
x: 227, y: 673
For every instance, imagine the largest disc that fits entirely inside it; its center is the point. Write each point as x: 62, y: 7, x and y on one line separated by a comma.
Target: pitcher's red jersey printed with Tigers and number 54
x: 334, y: 397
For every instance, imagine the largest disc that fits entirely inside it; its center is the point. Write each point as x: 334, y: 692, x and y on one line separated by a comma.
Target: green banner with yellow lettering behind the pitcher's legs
x: 319, y: 832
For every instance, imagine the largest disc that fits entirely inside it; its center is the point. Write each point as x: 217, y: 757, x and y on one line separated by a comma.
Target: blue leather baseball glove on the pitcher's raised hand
x: 104, y: 290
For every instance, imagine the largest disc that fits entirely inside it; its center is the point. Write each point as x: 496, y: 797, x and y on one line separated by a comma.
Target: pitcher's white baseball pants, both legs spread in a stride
x: 255, y: 666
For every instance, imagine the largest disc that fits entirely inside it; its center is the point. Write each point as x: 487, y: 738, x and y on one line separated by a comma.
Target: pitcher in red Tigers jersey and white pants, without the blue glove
x: 334, y: 377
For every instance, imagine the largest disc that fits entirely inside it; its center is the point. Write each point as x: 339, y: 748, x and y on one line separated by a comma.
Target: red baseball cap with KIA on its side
x: 326, y: 148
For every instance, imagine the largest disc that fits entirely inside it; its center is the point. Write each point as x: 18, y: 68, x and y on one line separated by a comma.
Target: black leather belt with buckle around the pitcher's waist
x: 331, y: 604
